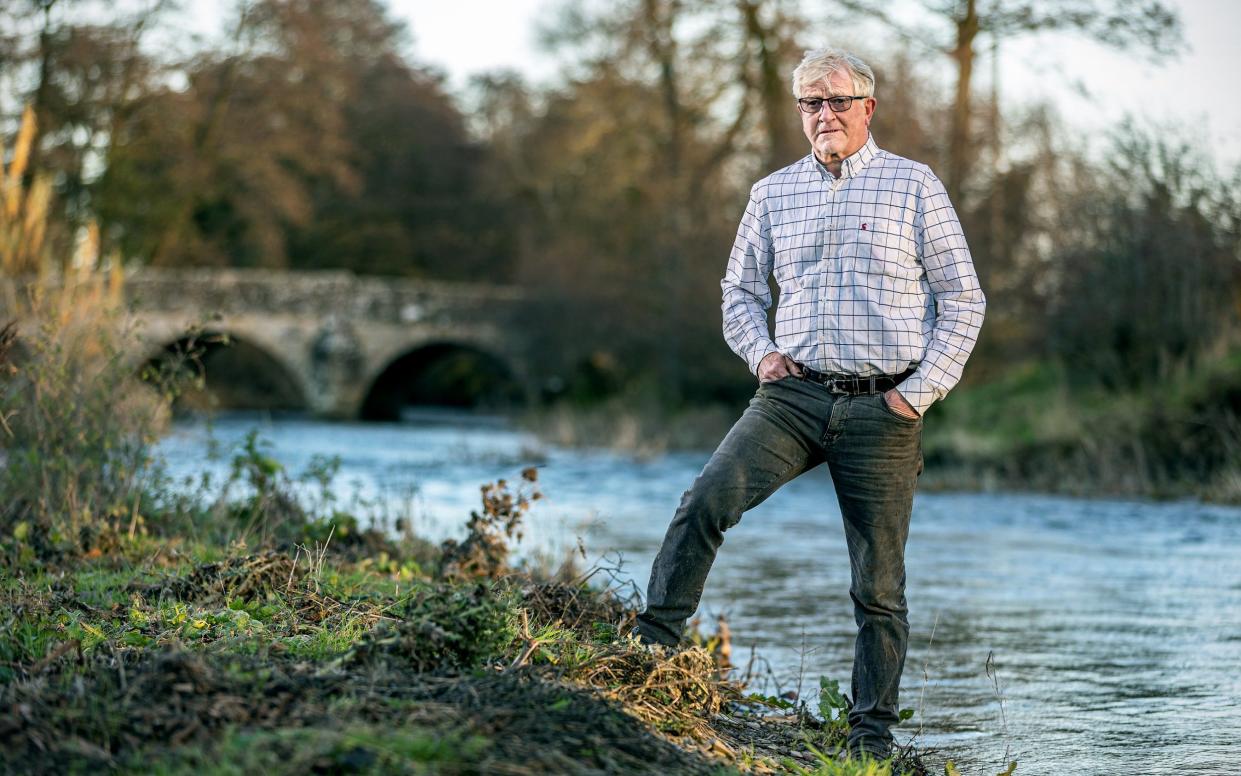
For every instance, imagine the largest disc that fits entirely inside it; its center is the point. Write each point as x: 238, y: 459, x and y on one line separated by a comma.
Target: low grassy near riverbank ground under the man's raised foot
x: 281, y: 641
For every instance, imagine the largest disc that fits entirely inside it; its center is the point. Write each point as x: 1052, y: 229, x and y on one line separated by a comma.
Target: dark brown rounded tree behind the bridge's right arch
x: 421, y: 207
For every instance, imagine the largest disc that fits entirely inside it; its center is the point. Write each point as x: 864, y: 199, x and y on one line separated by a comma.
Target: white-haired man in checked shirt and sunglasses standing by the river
x: 879, y: 310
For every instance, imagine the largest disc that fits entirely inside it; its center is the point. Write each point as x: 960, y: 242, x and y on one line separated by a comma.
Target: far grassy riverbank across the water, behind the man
x: 1031, y: 430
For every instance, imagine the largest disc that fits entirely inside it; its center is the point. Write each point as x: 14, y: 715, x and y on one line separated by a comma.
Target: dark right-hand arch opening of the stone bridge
x: 442, y: 374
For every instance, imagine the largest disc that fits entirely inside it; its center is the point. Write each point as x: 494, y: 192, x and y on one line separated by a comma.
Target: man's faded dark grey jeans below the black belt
x: 874, y: 458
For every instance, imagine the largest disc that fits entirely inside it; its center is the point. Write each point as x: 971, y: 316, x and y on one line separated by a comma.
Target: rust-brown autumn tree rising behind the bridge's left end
x: 217, y: 173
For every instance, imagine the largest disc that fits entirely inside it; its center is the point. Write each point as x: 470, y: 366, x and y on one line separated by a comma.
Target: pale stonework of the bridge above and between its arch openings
x: 333, y: 332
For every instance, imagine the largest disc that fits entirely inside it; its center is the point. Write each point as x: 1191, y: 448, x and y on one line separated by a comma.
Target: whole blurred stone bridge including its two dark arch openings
x: 337, y: 345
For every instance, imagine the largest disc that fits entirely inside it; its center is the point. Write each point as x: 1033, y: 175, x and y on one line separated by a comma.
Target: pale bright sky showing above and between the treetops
x: 1094, y: 88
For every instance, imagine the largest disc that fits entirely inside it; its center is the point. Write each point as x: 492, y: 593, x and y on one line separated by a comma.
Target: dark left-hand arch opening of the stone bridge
x: 239, y: 371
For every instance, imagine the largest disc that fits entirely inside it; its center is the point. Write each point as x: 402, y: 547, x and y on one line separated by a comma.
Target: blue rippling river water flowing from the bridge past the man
x: 1073, y: 636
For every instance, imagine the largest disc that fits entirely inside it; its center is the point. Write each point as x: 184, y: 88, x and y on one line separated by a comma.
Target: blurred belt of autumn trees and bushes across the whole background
x: 616, y: 191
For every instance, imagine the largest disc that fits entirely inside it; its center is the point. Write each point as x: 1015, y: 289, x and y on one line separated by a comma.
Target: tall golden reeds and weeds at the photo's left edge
x: 75, y: 423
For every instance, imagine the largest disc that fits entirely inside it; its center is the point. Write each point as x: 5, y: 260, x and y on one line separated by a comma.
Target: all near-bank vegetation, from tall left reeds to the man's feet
x: 260, y: 625
